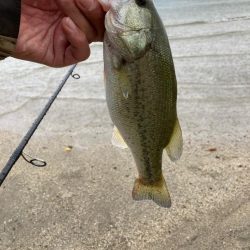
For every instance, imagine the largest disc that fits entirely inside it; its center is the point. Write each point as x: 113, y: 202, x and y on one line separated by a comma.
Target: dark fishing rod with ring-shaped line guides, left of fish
x: 18, y: 152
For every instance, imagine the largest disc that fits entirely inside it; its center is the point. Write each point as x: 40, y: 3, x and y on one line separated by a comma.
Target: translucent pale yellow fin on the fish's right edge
x: 175, y: 145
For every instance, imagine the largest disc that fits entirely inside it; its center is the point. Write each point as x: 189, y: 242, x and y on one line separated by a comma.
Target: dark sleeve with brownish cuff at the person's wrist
x: 9, y: 26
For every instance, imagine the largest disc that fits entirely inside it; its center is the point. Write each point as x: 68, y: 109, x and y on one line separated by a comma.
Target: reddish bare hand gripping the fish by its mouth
x: 57, y: 33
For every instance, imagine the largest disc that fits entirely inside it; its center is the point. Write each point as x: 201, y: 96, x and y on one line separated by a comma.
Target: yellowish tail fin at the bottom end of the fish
x: 156, y: 192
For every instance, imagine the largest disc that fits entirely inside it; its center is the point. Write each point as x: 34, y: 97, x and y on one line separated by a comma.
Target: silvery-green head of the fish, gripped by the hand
x: 128, y: 27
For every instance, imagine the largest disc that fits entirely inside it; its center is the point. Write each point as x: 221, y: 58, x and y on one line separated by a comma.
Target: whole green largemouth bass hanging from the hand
x: 141, y: 93
